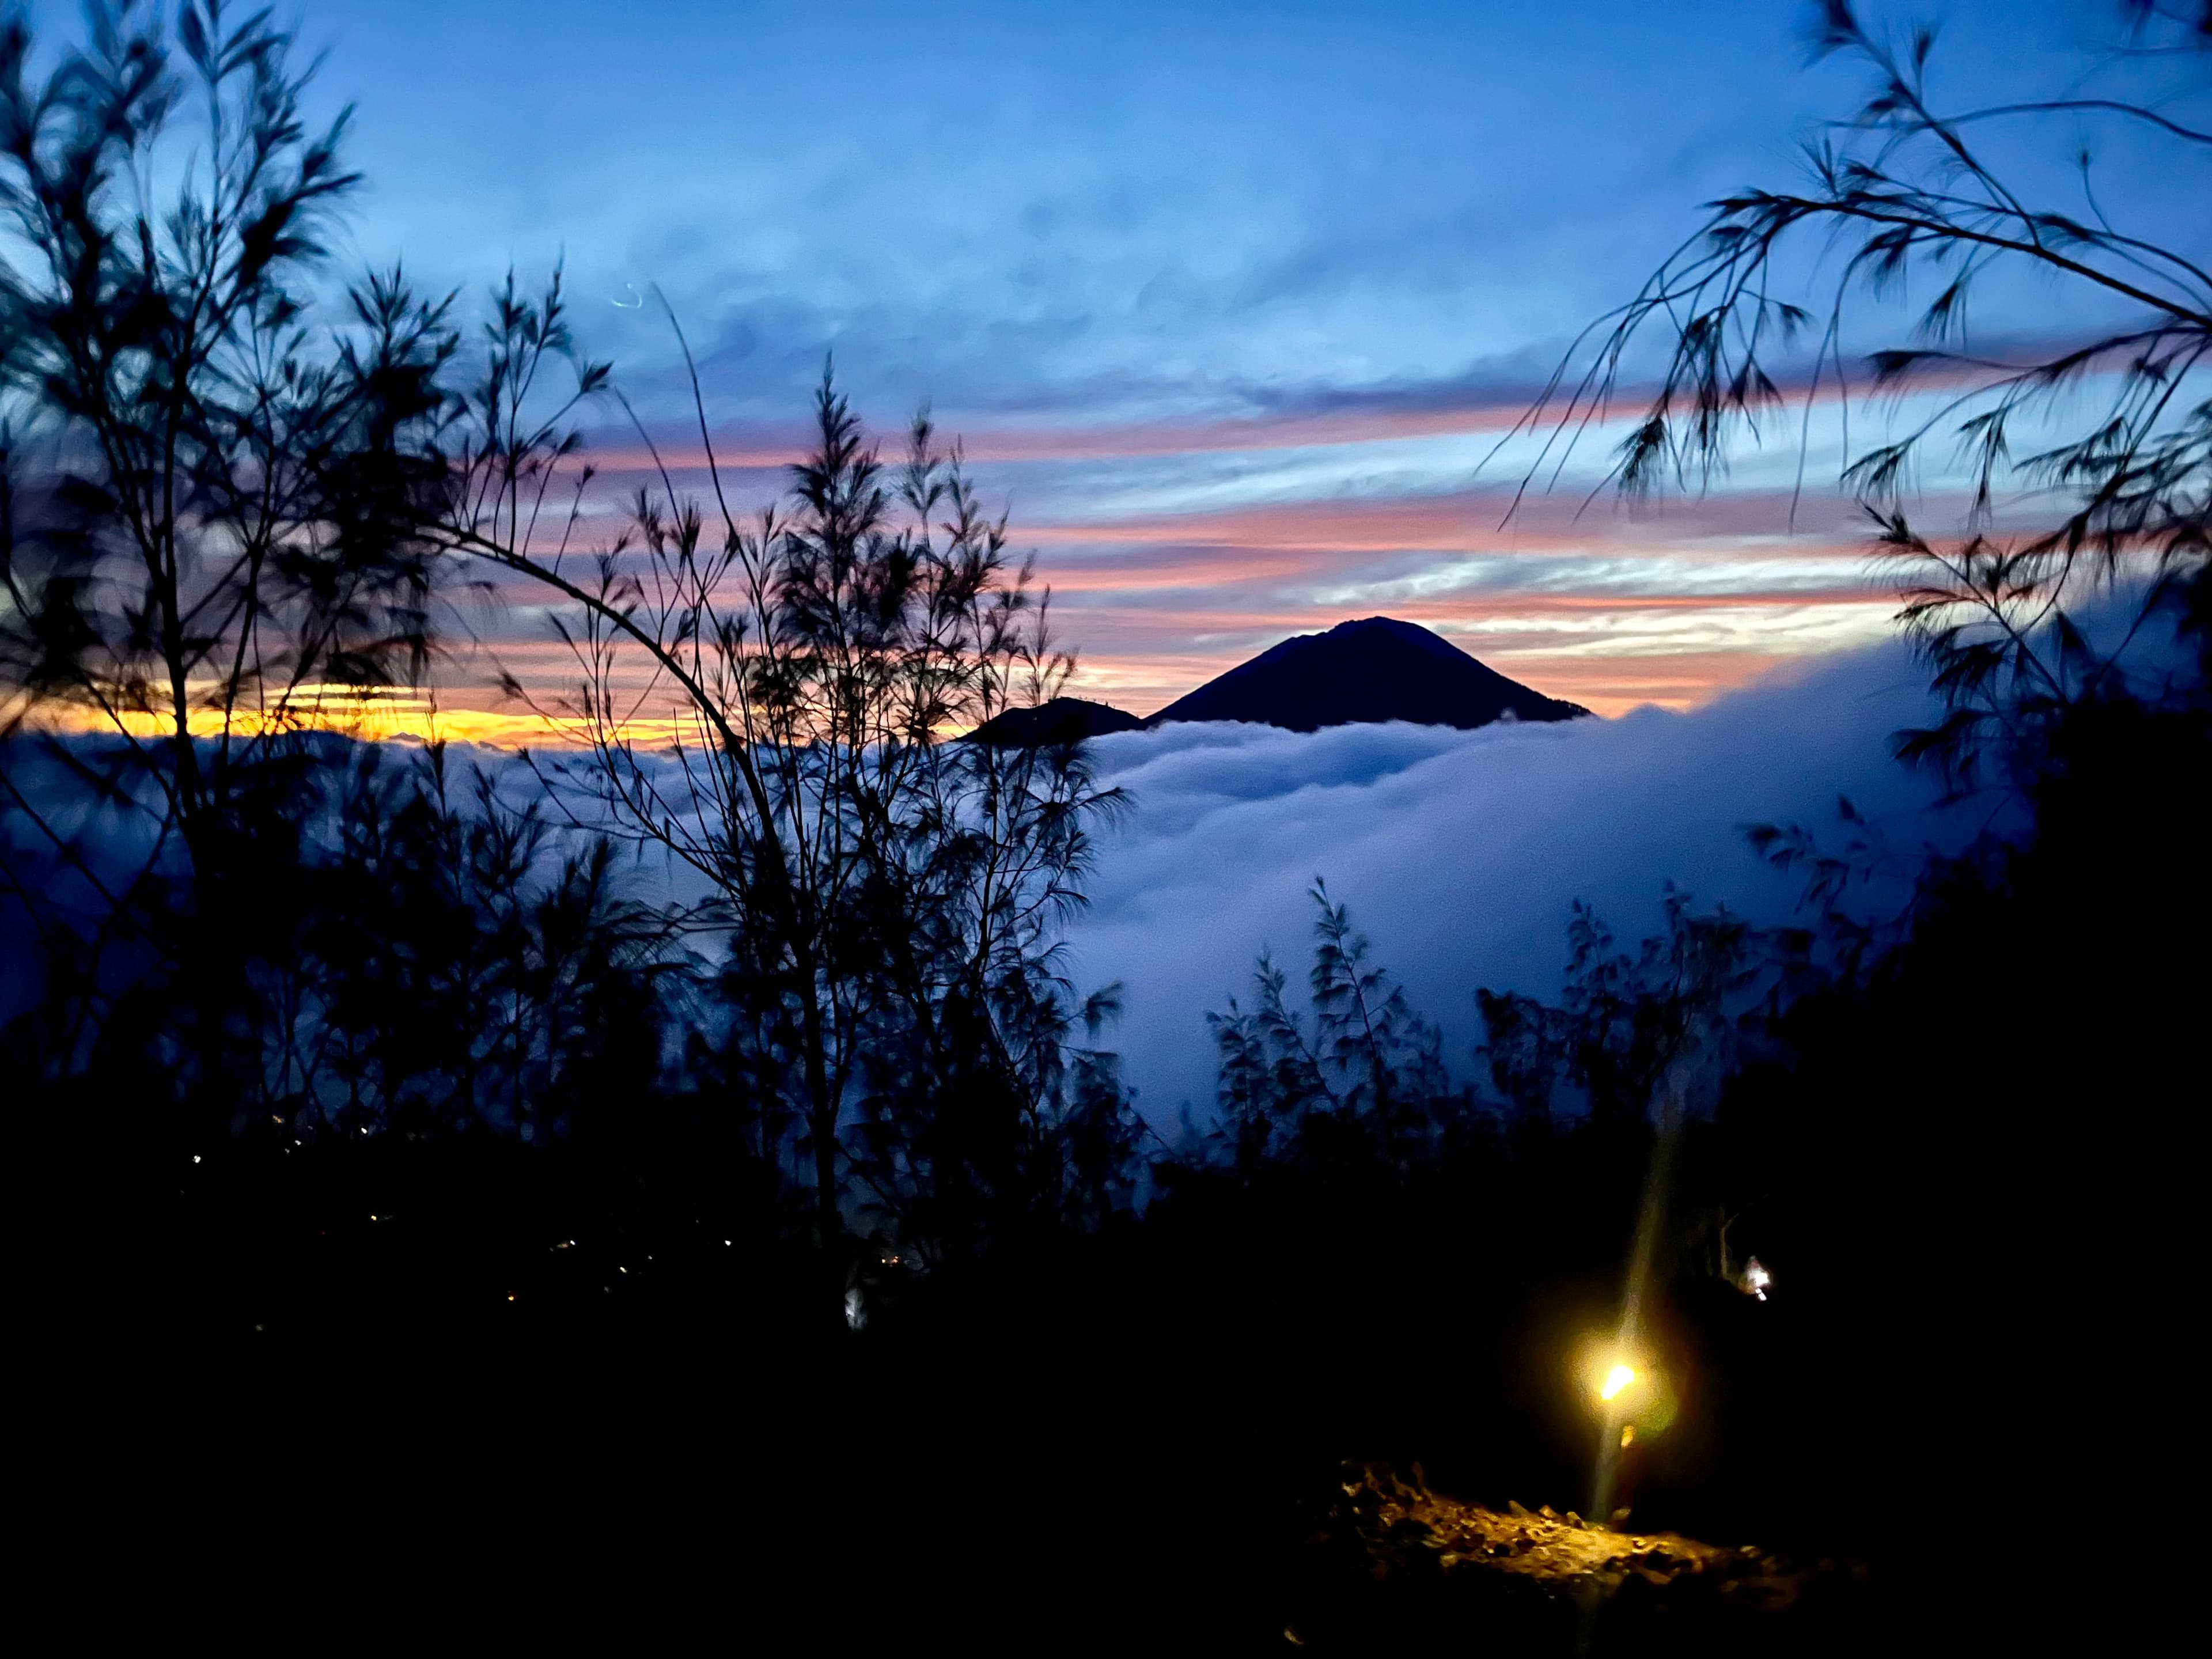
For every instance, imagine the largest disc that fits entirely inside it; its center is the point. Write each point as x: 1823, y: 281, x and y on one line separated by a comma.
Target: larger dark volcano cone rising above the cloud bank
x: 1359, y: 674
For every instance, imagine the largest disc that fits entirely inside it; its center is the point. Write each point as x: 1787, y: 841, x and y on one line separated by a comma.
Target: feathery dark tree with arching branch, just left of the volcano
x: 890, y: 899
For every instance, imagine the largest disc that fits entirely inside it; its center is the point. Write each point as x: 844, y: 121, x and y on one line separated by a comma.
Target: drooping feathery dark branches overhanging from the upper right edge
x: 2118, y: 419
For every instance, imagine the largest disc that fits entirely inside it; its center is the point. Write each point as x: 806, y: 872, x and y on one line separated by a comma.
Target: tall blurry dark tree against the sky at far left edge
x: 209, y: 497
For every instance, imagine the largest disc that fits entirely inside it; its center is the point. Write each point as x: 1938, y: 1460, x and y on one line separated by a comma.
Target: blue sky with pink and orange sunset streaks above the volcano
x: 1227, y: 302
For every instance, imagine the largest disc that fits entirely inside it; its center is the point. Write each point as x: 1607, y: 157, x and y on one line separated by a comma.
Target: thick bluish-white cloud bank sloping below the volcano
x: 1461, y: 853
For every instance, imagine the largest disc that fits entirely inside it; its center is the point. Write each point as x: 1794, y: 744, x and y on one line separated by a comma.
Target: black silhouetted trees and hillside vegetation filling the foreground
x: 419, y: 1204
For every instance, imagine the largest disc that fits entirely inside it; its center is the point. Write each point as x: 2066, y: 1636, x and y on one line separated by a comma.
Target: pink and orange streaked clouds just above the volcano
x: 1585, y: 603
